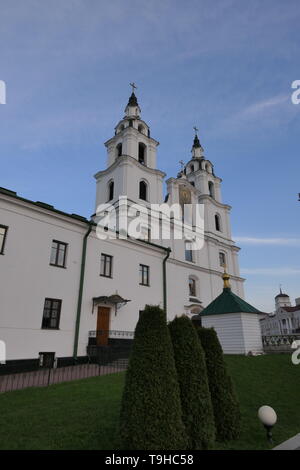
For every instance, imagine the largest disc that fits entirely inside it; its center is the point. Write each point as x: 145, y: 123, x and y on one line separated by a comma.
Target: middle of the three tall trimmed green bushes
x: 197, y: 410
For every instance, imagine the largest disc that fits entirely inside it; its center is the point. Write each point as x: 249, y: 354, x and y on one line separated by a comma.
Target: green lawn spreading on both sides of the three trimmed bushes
x: 84, y: 414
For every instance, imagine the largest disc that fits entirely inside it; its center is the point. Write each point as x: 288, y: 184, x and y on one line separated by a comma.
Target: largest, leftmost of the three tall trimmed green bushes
x: 151, y: 417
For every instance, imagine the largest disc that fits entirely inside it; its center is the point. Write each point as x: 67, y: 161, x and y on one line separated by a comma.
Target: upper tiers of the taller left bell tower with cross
x: 131, y: 161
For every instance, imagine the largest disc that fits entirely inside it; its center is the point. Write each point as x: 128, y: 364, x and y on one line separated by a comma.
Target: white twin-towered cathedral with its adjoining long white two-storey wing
x: 60, y: 285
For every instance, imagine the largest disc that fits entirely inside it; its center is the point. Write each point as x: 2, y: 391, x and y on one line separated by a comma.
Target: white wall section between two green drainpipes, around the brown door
x: 127, y: 256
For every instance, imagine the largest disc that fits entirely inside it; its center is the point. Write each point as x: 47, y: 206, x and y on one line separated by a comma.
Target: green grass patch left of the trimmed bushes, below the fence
x: 74, y: 415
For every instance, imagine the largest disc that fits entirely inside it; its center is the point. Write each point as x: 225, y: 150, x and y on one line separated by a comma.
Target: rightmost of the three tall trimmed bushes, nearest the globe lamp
x: 224, y: 400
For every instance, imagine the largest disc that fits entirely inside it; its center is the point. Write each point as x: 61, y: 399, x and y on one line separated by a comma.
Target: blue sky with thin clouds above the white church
x: 225, y: 66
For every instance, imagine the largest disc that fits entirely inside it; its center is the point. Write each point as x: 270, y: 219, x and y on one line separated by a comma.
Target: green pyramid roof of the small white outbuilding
x: 228, y: 302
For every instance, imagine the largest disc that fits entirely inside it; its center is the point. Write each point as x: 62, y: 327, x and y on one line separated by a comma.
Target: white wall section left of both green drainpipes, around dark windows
x: 26, y: 279
